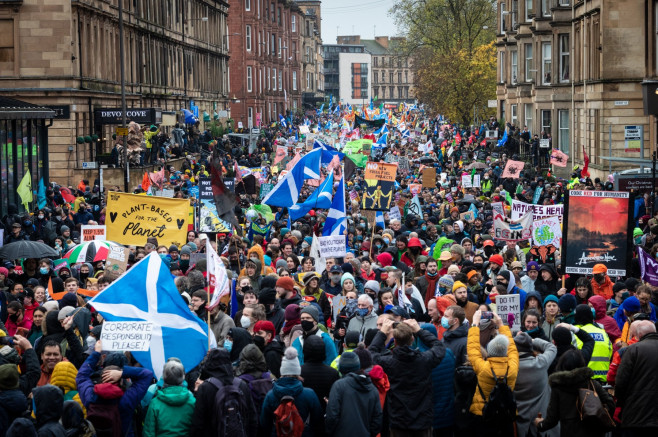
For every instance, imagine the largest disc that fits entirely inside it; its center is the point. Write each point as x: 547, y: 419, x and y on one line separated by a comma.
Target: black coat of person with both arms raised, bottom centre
x: 409, y: 401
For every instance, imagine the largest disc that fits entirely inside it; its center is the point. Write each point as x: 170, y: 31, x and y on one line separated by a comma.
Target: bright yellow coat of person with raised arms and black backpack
x: 483, y: 367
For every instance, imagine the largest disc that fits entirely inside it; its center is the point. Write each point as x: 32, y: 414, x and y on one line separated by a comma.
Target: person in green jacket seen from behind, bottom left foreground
x: 170, y: 412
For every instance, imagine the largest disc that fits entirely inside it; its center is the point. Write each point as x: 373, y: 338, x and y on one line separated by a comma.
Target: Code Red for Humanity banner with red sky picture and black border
x: 598, y: 226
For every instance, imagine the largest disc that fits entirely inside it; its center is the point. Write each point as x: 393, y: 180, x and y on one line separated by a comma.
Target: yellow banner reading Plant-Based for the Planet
x: 134, y: 218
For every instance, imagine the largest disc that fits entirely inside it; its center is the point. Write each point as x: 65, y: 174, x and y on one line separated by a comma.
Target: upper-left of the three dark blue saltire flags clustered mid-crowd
x: 286, y: 192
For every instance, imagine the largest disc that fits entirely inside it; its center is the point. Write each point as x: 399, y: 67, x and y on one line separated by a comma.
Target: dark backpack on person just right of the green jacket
x: 231, y: 410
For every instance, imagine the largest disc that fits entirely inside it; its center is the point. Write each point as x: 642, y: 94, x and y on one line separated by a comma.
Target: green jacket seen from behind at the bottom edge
x: 170, y: 413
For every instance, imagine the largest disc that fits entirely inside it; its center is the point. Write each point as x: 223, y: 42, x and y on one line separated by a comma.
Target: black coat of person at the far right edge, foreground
x: 636, y: 385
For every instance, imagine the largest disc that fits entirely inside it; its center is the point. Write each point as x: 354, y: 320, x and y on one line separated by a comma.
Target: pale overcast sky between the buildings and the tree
x: 356, y: 17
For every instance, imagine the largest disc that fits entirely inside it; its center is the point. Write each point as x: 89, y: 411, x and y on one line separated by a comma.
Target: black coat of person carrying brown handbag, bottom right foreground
x: 562, y: 406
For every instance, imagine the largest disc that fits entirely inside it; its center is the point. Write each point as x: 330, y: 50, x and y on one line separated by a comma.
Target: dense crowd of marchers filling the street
x: 400, y: 337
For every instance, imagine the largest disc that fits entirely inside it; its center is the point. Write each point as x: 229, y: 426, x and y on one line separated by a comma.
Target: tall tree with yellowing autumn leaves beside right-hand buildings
x: 452, y: 44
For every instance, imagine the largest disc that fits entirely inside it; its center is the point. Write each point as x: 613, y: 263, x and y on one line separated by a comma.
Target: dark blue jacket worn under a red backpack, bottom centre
x: 306, y: 401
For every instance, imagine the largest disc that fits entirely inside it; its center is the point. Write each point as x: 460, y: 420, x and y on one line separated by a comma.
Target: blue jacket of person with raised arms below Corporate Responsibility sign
x: 140, y: 378
